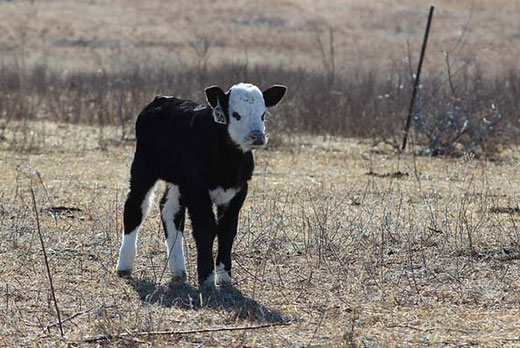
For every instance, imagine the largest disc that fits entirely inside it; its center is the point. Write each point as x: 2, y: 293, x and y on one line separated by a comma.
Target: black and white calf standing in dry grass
x: 203, y: 153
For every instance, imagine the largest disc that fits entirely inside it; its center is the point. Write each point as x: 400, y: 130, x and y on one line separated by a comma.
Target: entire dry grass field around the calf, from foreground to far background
x: 342, y: 241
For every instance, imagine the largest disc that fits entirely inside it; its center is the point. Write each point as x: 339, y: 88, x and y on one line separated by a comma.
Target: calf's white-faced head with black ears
x: 242, y: 108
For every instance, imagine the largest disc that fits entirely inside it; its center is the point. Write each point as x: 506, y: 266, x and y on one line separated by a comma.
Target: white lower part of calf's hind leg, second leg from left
x: 175, y: 239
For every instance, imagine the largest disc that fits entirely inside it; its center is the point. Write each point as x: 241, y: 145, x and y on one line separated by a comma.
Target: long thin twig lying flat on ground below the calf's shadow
x: 176, y: 332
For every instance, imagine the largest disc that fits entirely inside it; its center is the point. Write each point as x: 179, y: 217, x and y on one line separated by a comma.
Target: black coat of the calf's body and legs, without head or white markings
x: 179, y: 142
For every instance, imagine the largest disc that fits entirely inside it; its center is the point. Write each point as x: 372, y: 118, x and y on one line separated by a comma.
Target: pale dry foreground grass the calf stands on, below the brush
x: 428, y: 257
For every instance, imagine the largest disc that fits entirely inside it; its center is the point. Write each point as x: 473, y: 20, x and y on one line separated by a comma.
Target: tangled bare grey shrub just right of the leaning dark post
x: 463, y: 117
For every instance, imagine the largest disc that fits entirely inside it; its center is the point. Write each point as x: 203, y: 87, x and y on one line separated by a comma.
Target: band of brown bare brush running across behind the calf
x: 362, y: 103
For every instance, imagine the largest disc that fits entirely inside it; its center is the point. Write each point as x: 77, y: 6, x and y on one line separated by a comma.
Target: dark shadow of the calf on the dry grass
x: 183, y: 295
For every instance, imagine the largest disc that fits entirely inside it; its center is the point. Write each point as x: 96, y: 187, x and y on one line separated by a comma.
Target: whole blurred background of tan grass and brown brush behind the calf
x: 349, y: 64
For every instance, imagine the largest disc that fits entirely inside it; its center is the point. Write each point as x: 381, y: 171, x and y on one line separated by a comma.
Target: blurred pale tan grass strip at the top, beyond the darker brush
x: 93, y: 34
